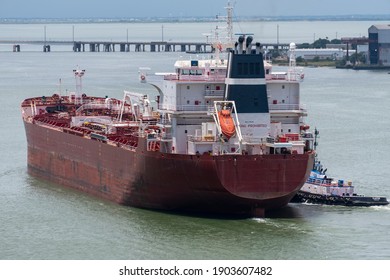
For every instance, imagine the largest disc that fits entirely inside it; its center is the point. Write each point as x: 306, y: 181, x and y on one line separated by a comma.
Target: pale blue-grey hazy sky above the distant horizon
x: 183, y: 8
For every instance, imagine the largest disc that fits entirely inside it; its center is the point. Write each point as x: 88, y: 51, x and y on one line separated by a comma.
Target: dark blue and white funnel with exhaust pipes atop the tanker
x: 245, y: 84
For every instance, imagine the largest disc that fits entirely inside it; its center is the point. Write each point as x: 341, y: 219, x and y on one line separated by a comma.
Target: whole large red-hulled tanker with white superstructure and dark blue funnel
x: 211, y: 145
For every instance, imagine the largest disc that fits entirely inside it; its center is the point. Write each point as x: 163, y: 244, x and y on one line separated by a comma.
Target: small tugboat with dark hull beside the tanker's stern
x: 321, y: 189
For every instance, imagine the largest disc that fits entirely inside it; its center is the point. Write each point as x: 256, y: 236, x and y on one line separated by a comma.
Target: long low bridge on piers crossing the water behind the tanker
x: 106, y: 46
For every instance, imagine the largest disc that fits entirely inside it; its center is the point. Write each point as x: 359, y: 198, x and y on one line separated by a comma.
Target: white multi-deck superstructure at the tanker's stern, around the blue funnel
x: 187, y: 99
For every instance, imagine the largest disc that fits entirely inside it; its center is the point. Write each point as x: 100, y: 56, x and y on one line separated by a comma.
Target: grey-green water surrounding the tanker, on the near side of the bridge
x: 40, y: 220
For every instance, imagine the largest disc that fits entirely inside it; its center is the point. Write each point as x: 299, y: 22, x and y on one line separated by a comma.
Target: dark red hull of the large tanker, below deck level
x: 231, y: 184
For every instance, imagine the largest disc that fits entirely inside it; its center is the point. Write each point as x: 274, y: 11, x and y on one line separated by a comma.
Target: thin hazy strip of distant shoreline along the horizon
x: 194, y: 19
